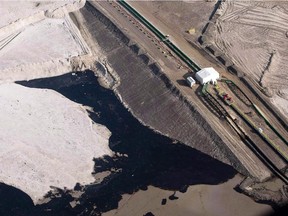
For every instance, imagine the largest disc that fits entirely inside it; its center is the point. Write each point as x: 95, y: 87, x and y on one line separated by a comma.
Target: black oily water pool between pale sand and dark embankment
x: 143, y: 157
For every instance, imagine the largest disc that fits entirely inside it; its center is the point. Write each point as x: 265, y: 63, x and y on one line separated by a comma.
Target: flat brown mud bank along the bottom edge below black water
x: 198, y: 200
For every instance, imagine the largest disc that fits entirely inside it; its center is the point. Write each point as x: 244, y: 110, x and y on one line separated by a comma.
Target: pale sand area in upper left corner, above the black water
x: 38, y: 39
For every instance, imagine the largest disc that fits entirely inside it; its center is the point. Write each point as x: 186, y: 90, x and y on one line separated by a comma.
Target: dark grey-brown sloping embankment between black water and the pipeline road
x: 147, y: 92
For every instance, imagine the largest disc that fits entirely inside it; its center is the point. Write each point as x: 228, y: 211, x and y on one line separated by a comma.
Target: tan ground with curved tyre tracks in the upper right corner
x: 254, y: 36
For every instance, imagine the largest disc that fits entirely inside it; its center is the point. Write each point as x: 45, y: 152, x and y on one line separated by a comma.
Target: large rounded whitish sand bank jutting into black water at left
x: 46, y: 140
